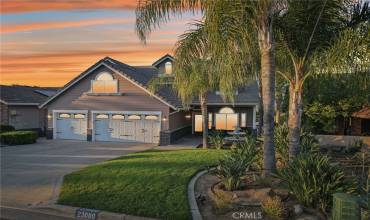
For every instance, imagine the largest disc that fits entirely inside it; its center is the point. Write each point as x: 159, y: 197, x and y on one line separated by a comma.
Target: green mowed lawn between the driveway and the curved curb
x: 151, y: 183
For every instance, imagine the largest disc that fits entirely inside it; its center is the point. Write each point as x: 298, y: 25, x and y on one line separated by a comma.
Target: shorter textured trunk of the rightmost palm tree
x: 294, y: 121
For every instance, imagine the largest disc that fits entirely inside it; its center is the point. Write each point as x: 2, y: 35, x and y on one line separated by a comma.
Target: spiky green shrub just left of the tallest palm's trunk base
x: 233, y: 167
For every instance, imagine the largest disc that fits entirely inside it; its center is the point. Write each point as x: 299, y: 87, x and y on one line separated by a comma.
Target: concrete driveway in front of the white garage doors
x: 31, y: 174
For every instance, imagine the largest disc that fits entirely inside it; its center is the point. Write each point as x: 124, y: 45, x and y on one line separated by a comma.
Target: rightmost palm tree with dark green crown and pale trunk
x: 305, y: 31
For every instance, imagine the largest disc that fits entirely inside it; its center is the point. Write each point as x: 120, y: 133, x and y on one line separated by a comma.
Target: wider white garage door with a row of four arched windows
x: 127, y: 127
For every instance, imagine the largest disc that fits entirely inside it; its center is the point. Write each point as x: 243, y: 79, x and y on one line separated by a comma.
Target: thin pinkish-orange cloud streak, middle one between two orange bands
x: 62, y: 24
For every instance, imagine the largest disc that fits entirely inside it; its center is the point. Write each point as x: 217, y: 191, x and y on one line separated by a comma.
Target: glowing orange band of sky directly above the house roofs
x: 59, y: 68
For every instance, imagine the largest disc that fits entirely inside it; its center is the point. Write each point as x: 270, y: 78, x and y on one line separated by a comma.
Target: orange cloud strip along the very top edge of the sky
x: 20, y: 6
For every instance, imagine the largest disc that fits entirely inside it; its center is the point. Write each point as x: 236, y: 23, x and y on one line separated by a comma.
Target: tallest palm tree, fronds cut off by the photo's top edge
x: 252, y: 18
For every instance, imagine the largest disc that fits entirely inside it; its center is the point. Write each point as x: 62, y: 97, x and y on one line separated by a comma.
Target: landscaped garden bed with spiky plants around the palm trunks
x: 301, y: 188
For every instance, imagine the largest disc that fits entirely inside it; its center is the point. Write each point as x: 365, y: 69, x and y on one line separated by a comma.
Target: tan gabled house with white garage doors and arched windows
x: 110, y: 101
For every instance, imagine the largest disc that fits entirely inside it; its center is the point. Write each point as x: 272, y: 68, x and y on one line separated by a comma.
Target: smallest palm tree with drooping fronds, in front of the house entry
x: 194, y: 76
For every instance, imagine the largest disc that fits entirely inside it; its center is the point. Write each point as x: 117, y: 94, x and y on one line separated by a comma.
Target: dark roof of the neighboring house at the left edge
x: 25, y: 95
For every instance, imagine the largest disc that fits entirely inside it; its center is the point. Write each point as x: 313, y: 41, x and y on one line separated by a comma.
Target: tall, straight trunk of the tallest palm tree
x: 268, y: 94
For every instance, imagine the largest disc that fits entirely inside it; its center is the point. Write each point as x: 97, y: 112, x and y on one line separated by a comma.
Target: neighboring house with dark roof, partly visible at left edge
x: 19, y: 106
